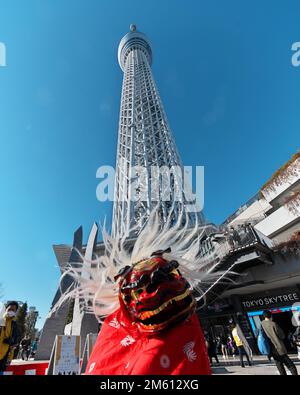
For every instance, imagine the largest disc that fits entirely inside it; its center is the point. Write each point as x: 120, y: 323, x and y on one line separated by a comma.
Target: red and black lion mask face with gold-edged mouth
x: 155, y: 294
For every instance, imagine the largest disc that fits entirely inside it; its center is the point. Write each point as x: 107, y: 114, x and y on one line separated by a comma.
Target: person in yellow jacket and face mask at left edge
x: 8, y: 334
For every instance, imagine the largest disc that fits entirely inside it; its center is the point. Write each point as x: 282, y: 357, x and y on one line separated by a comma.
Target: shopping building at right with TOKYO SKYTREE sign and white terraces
x: 272, y: 279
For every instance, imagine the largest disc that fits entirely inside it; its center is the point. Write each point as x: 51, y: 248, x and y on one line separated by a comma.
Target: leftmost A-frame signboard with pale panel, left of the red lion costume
x: 65, y: 357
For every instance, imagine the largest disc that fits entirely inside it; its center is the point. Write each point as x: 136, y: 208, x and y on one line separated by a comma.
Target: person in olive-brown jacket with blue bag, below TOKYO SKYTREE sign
x: 278, y: 349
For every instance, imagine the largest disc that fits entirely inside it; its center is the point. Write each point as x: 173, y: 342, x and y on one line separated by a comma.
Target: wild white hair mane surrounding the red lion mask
x: 97, y: 288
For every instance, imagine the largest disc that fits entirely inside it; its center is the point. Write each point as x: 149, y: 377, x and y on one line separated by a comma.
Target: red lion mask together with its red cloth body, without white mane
x: 155, y: 330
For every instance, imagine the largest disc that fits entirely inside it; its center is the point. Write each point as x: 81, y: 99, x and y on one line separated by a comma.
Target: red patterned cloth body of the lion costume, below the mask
x: 121, y: 349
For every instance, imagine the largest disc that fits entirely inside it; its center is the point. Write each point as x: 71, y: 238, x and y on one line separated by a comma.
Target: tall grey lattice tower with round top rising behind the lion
x: 145, y: 142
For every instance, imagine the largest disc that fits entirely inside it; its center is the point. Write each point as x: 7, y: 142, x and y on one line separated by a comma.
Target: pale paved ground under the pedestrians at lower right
x: 261, y: 366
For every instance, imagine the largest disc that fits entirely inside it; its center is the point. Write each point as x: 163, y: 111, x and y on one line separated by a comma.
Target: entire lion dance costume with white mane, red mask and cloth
x: 145, y: 301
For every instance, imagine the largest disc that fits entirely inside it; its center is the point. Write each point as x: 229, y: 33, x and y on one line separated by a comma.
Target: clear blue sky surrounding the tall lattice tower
x: 225, y: 76
